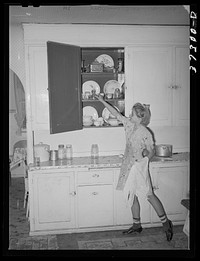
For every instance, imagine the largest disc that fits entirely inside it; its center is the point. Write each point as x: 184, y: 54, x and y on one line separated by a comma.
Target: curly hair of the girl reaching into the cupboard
x: 143, y: 112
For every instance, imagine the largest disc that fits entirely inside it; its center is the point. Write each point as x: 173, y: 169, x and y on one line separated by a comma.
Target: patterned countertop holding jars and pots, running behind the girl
x: 102, y: 162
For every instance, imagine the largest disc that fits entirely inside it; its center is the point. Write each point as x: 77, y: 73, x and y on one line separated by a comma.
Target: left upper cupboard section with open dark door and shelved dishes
x: 64, y: 80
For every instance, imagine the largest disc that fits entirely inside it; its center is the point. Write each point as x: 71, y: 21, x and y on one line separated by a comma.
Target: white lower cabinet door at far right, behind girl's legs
x: 171, y: 186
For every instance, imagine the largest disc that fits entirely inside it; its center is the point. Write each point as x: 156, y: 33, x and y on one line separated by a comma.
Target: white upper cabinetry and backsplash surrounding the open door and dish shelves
x: 162, y: 46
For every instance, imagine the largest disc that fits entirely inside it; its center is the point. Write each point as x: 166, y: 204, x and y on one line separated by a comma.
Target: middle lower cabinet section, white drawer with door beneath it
x: 95, y: 198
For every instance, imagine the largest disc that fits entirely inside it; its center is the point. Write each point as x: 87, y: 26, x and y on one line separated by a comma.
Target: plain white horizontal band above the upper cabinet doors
x: 98, y: 35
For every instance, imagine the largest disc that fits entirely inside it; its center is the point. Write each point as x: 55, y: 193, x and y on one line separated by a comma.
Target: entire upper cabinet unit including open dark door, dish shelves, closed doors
x: 61, y: 59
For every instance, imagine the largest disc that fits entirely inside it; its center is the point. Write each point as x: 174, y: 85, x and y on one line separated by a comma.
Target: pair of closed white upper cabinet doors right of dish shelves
x: 159, y: 76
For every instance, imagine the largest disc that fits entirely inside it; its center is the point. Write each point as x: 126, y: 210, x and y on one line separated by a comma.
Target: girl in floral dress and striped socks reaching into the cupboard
x: 138, y: 152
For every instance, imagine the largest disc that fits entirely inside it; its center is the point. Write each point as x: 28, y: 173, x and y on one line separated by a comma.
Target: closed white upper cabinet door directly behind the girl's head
x: 150, y: 76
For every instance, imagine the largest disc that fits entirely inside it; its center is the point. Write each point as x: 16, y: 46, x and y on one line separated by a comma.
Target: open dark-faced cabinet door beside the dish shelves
x: 64, y: 80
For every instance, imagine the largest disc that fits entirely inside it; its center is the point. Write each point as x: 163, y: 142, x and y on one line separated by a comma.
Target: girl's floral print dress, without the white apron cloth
x: 138, y: 138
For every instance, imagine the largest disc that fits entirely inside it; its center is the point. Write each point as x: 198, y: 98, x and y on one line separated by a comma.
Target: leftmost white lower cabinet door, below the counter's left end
x: 52, y: 201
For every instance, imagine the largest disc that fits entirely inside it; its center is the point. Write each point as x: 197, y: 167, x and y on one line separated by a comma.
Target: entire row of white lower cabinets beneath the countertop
x: 67, y: 201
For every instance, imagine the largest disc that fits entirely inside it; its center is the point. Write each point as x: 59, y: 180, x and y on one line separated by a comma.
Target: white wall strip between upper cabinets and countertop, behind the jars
x: 111, y: 141
